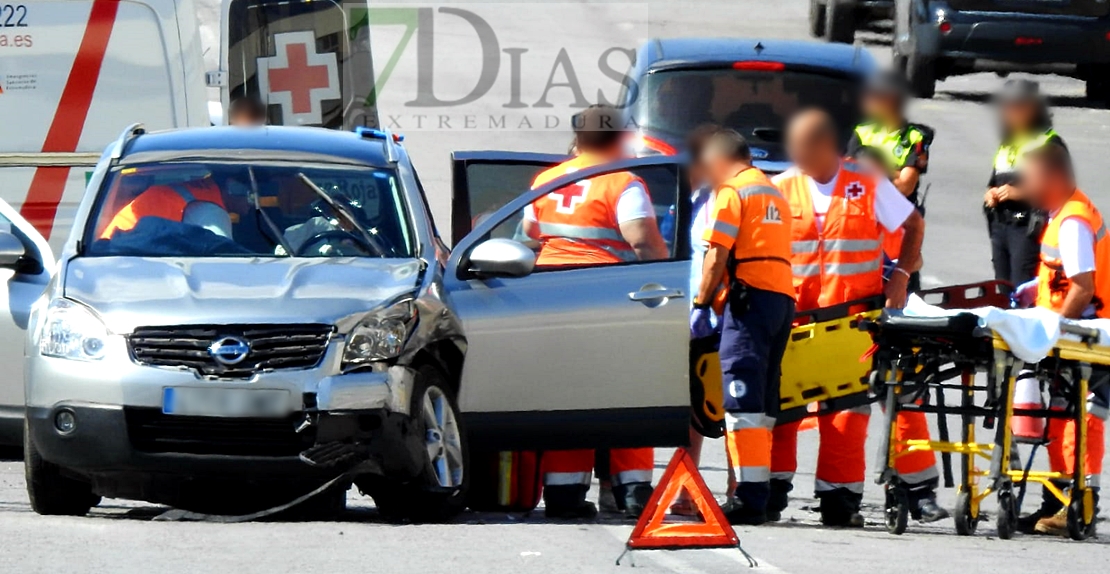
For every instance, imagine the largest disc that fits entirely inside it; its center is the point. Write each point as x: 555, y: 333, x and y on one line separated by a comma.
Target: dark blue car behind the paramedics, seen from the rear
x: 749, y: 85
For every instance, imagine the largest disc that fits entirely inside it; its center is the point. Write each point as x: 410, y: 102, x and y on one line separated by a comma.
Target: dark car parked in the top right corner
x: 939, y: 39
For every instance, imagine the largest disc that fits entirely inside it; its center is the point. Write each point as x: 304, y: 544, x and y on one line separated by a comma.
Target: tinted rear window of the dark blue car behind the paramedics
x: 756, y: 104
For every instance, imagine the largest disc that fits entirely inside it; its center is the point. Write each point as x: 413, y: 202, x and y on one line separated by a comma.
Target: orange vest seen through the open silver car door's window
x: 579, y: 224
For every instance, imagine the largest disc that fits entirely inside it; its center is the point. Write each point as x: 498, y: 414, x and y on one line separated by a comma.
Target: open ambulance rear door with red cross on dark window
x: 308, y: 62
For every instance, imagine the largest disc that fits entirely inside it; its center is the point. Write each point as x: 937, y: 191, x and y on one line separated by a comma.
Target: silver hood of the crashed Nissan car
x: 130, y: 293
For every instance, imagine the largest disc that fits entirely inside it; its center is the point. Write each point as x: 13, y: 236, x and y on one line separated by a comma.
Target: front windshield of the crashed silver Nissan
x: 216, y: 209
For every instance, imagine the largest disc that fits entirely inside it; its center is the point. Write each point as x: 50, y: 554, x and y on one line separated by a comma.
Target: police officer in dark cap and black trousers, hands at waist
x: 1015, y: 227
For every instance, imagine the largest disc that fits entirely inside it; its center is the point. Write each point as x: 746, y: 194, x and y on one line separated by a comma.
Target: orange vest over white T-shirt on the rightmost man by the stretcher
x: 1052, y: 284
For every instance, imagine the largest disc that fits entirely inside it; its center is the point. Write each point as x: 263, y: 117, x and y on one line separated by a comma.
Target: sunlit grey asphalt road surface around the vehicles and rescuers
x: 120, y: 537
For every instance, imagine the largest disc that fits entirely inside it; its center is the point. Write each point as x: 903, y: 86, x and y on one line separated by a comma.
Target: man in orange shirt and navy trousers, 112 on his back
x: 749, y: 247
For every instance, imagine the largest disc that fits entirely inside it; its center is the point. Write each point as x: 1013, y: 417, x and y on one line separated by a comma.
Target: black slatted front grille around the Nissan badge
x: 273, y: 347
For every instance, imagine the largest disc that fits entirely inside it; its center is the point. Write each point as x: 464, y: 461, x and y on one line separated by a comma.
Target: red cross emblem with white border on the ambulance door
x: 299, y: 79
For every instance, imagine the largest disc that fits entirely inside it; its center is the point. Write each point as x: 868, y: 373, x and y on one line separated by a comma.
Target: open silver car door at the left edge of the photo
x: 26, y: 267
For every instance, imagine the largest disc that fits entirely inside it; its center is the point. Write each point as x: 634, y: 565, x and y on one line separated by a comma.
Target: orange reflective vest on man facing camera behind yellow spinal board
x: 843, y: 261
